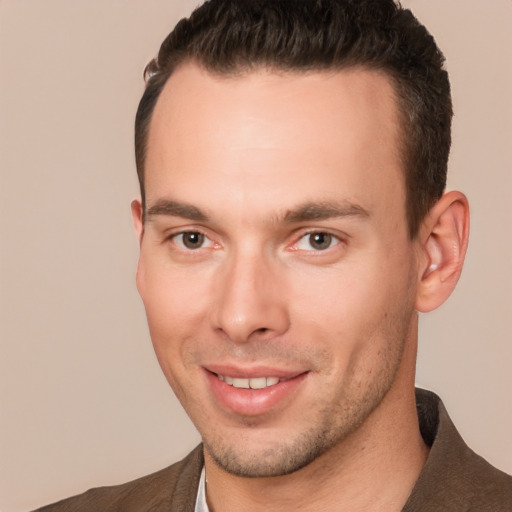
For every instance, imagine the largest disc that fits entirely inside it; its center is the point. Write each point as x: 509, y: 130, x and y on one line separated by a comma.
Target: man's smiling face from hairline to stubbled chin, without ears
x: 275, y: 256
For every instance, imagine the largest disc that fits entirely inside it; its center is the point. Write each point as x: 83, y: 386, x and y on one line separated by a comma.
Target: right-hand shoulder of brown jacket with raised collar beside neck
x: 454, y: 477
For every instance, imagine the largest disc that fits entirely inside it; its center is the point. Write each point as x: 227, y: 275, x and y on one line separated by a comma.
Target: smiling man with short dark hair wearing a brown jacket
x: 292, y: 160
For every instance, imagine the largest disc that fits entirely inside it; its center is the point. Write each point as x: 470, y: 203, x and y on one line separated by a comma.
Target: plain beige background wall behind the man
x: 82, y: 399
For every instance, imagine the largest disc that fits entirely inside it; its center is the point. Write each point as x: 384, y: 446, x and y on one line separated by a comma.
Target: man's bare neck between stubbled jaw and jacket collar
x: 373, y: 469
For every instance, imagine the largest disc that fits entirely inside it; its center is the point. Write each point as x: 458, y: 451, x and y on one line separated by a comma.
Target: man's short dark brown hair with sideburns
x: 230, y: 37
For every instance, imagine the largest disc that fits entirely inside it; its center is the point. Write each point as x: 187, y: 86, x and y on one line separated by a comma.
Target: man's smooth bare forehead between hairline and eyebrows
x: 286, y: 133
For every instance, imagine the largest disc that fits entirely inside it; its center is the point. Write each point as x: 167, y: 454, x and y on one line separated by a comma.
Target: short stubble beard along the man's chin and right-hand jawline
x: 337, y: 418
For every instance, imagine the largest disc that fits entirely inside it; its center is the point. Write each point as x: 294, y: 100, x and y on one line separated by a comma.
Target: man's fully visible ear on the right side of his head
x: 443, y: 240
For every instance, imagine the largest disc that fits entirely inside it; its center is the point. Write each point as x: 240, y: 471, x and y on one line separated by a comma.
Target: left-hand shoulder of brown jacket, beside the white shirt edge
x: 172, y: 488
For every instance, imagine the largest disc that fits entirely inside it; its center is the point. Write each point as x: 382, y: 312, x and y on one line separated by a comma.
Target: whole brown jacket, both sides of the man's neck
x: 454, y: 478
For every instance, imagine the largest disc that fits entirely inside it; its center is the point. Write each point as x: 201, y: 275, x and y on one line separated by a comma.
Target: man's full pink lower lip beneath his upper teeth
x: 253, y: 402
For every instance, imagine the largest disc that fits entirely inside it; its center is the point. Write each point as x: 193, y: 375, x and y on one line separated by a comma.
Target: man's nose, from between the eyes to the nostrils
x: 250, y: 300
